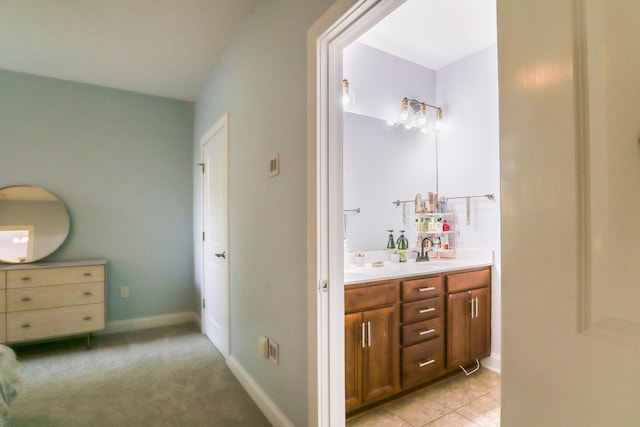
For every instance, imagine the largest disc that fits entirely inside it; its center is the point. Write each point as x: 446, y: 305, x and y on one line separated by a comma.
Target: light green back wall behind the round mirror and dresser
x: 122, y: 163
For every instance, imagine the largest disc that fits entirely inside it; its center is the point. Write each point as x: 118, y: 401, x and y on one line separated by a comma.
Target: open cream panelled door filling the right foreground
x: 570, y: 170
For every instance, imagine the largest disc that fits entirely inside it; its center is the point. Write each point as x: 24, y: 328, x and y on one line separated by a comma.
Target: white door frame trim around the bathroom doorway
x: 342, y: 24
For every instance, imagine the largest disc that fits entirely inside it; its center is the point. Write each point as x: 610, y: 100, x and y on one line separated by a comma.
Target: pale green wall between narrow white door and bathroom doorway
x: 261, y: 81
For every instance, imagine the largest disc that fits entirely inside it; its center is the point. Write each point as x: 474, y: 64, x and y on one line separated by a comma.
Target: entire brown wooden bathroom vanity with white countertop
x: 407, y: 324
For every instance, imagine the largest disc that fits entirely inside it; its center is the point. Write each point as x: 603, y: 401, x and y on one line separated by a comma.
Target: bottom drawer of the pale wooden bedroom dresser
x: 35, y: 324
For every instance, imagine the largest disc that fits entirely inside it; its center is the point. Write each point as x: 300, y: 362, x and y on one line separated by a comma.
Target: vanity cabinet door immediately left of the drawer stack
x: 380, y: 367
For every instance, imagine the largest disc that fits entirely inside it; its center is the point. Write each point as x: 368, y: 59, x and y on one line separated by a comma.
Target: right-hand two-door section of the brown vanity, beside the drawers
x: 468, y: 306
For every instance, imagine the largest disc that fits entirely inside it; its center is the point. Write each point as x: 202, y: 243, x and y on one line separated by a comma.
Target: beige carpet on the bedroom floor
x: 169, y: 376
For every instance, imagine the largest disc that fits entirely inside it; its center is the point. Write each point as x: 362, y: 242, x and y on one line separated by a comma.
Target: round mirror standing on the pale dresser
x: 33, y: 224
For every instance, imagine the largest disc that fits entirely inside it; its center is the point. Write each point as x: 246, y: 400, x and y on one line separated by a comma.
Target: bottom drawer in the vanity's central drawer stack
x: 421, y: 362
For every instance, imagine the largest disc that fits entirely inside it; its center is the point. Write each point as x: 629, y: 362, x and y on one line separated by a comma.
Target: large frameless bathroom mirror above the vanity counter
x: 382, y: 165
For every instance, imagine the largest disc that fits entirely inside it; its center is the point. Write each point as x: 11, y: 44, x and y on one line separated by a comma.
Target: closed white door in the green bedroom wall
x: 215, y: 148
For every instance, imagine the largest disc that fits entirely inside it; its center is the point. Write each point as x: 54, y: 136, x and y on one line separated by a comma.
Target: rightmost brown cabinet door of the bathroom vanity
x: 480, y: 325
